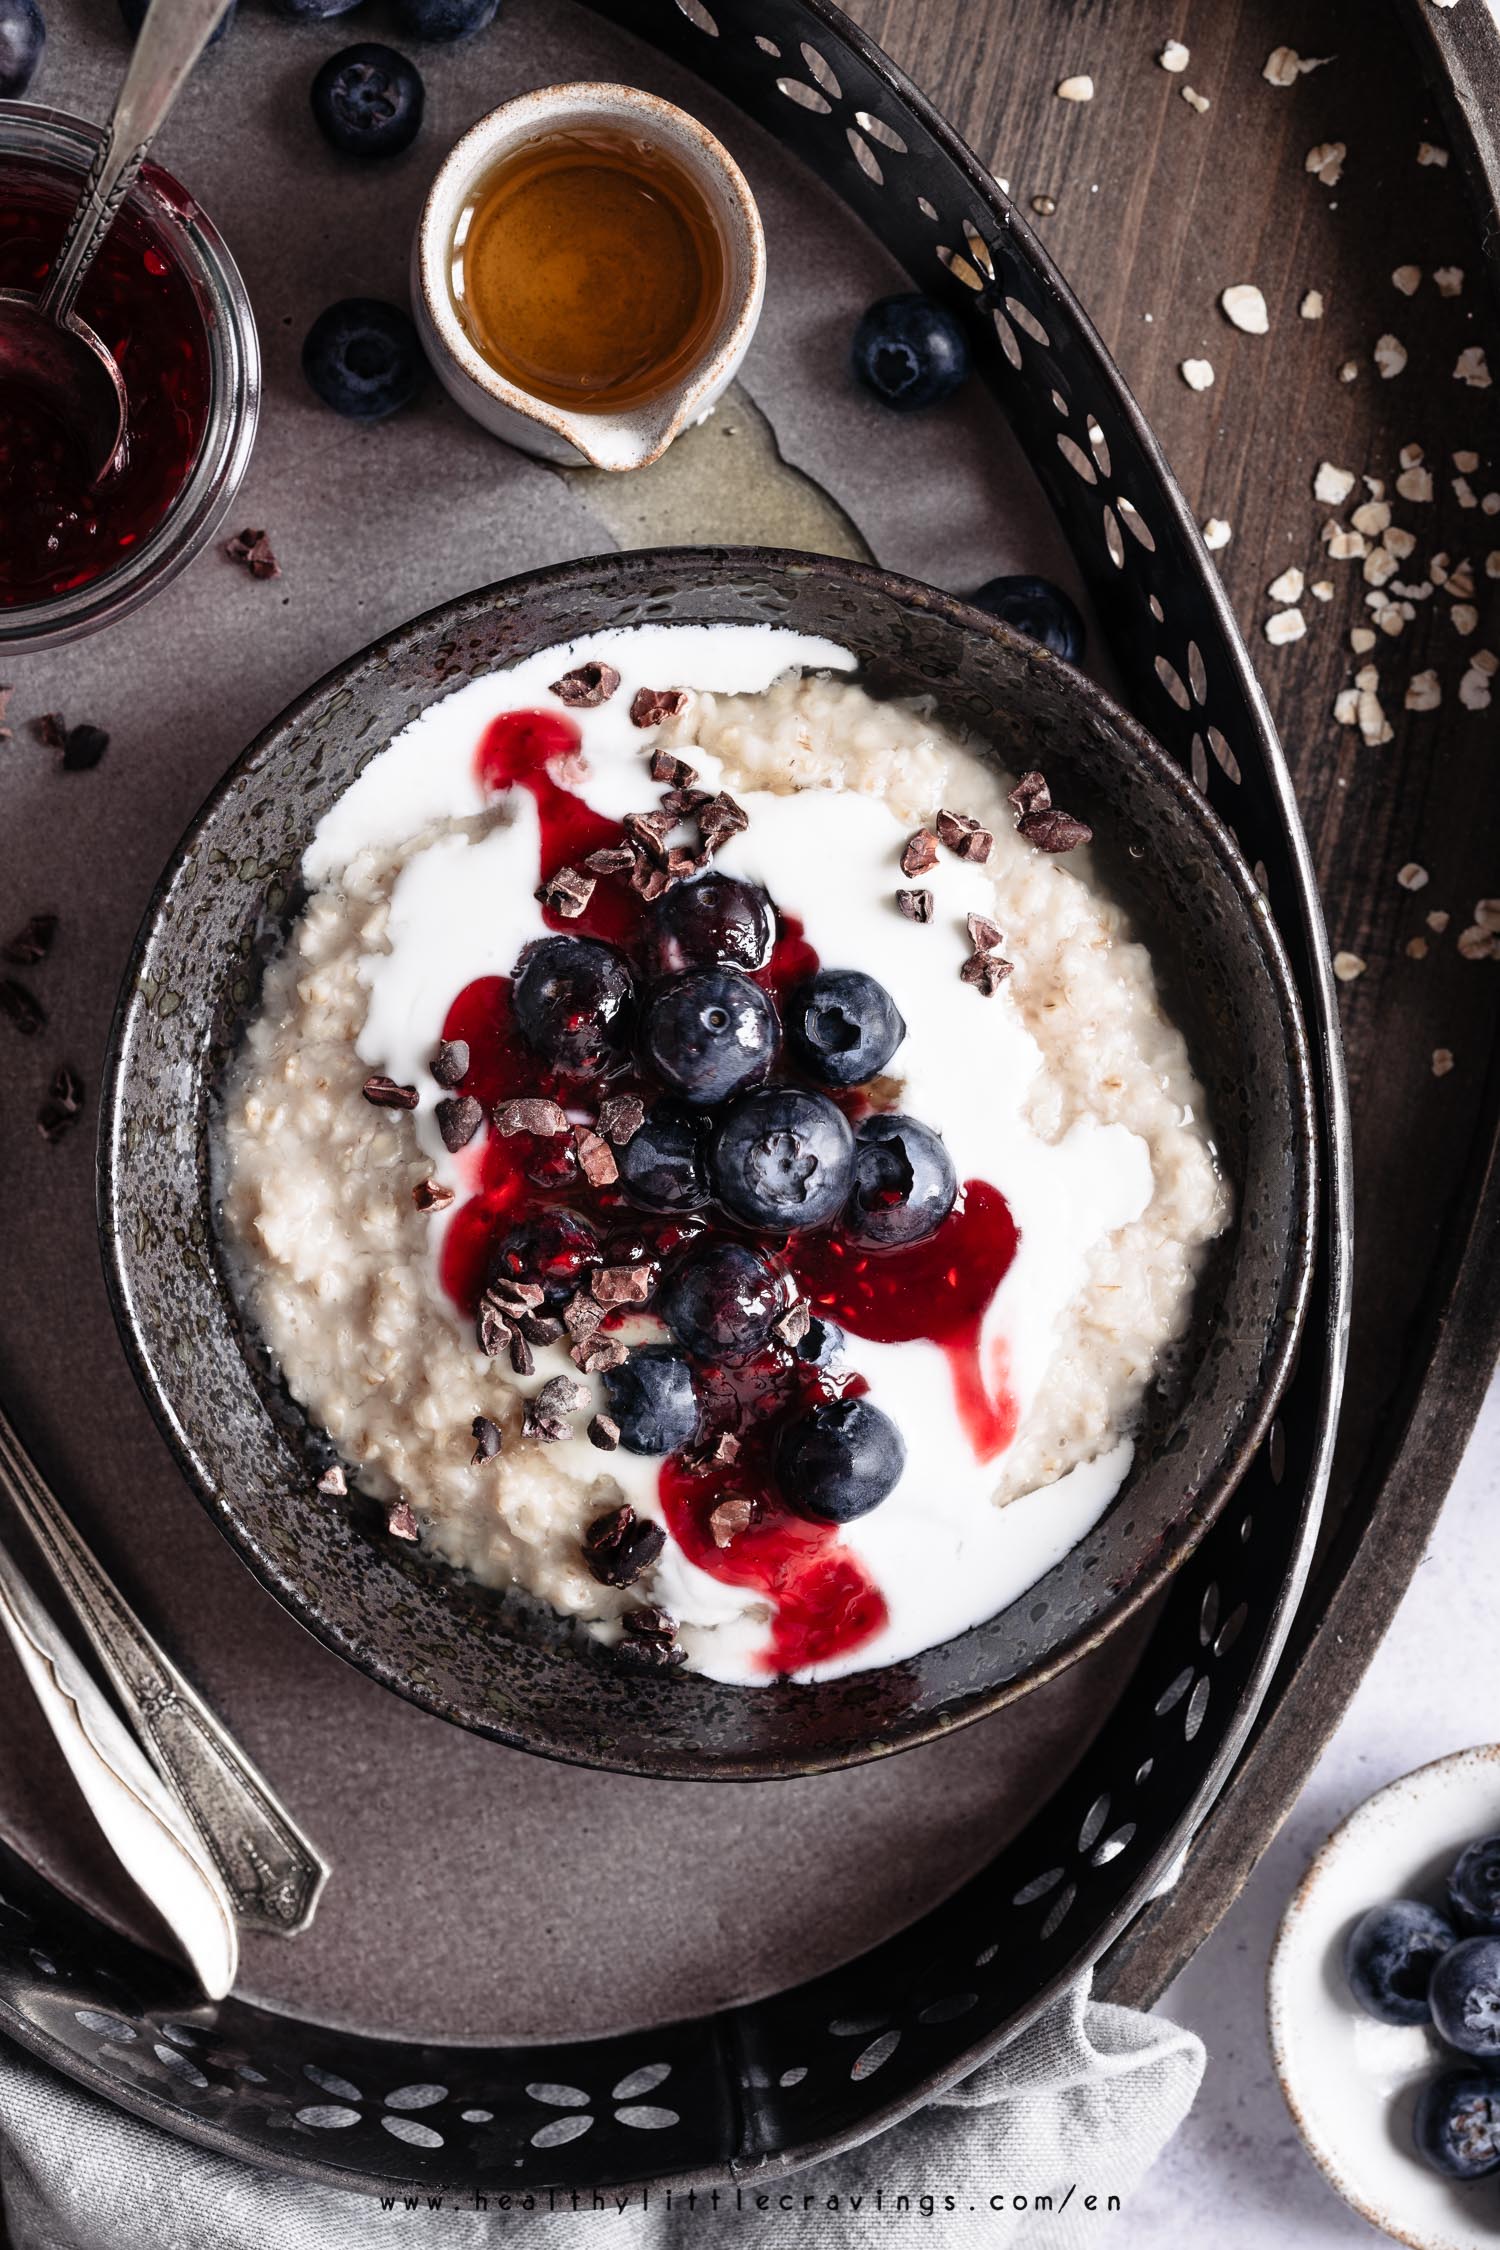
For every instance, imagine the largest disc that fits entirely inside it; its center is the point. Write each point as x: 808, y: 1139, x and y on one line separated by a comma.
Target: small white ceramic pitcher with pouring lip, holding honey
x: 642, y: 435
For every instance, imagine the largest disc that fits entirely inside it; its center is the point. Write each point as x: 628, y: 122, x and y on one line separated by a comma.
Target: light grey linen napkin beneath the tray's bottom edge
x: 1031, y: 2152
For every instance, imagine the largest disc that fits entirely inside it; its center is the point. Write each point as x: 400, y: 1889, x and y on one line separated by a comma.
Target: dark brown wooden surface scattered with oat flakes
x: 1159, y: 208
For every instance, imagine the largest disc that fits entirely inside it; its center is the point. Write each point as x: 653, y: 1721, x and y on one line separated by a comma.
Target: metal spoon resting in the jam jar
x: 44, y: 345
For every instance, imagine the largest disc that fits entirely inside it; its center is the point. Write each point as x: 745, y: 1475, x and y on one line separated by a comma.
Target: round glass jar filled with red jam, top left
x: 168, y: 300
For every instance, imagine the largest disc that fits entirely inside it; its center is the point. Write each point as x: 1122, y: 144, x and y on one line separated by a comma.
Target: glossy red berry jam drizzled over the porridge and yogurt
x: 824, y: 1601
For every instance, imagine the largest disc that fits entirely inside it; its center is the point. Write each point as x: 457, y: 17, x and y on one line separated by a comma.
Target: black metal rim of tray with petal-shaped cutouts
x: 826, y: 2064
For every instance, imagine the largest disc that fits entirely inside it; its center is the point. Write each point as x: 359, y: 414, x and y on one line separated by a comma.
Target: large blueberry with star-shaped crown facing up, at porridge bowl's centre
x: 784, y: 1160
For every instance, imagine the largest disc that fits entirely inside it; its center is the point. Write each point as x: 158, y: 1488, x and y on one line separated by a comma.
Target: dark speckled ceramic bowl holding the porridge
x: 503, y: 1664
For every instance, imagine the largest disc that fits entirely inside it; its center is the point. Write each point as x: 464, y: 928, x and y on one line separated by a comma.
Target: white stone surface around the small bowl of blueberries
x: 1238, y: 2175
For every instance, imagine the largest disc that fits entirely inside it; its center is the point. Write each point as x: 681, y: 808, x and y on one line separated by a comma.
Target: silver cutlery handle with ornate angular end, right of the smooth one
x: 271, y: 1869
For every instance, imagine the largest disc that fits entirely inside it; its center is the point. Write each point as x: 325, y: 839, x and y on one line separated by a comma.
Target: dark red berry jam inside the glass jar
x: 62, y: 532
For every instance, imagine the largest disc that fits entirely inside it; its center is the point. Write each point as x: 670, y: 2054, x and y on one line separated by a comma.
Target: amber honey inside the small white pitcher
x: 588, y: 271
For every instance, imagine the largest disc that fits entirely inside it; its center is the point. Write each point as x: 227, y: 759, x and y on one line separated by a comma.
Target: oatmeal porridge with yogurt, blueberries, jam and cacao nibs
x: 712, y: 1158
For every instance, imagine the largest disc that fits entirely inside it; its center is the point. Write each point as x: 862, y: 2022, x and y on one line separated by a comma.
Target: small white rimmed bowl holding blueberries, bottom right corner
x: 1353, y: 2082
